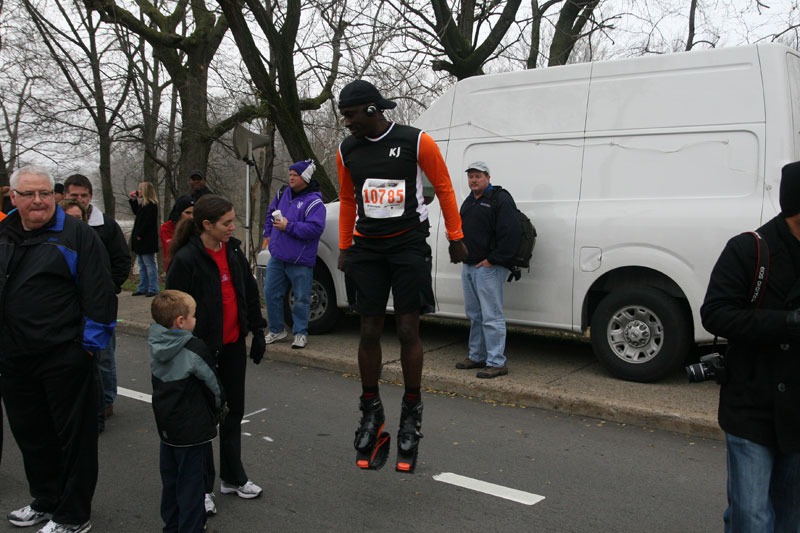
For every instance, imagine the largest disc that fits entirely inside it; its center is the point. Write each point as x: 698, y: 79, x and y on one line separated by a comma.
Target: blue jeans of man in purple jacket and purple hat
x: 279, y: 275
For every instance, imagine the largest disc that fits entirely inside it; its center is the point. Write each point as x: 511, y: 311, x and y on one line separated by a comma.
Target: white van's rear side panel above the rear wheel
x: 672, y: 169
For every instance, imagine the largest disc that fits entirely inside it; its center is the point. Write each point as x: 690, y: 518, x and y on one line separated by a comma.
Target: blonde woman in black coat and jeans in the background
x: 144, y: 238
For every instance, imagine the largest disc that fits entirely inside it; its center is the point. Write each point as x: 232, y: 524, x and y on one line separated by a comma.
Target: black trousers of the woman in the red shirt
x: 231, y: 369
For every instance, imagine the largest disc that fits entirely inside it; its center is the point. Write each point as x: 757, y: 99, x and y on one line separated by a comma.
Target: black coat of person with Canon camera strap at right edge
x: 761, y: 400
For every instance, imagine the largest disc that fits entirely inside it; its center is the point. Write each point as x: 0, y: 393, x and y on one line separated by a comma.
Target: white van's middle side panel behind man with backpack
x: 529, y: 129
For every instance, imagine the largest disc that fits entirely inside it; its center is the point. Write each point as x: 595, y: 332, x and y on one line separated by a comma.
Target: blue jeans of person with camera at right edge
x: 763, y: 488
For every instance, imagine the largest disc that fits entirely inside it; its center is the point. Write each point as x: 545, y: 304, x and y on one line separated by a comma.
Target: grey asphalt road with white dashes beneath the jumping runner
x: 592, y: 475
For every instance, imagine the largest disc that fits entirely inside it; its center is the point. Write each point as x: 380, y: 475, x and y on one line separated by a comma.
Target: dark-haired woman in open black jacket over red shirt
x: 208, y: 263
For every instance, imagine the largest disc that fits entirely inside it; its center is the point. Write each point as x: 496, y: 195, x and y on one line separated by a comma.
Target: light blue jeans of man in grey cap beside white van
x: 483, y: 303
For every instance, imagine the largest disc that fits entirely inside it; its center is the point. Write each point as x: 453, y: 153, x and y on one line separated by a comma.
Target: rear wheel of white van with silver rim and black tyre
x: 640, y: 334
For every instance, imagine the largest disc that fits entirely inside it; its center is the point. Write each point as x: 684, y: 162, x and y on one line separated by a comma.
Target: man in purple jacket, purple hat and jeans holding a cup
x: 294, y: 224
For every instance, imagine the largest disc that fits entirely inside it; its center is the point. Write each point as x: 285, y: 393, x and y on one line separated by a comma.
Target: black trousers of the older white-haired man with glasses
x: 51, y: 409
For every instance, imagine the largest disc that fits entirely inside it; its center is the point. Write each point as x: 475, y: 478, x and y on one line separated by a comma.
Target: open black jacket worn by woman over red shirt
x: 194, y: 271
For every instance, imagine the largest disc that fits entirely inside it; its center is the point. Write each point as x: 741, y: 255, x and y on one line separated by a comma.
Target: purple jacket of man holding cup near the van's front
x: 306, y: 214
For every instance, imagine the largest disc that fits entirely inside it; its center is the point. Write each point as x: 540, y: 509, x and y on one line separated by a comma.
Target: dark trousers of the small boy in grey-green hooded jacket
x: 182, y: 485
